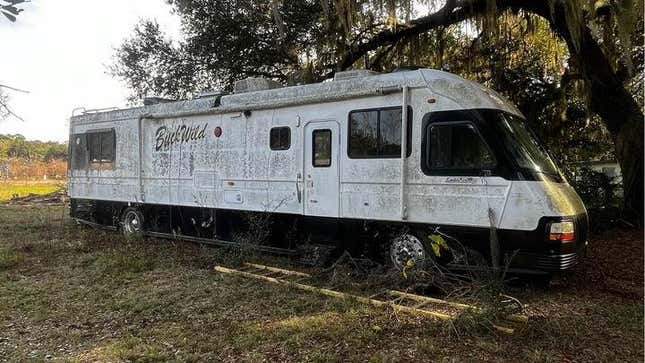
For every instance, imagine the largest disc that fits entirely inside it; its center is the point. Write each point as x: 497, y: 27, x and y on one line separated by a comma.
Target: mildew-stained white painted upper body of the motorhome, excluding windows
x: 184, y: 163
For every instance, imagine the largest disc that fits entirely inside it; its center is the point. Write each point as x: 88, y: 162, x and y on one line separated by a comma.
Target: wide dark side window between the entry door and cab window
x: 377, y: 133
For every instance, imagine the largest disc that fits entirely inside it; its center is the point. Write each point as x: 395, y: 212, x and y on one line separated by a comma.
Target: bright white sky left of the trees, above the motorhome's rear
x: 59, y: 51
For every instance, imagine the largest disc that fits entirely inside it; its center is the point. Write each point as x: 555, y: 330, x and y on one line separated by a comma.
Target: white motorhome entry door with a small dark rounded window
x: 321, y: 169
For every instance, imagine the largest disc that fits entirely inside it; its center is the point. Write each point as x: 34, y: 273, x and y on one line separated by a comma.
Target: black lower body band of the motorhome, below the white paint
x: 529, y: 250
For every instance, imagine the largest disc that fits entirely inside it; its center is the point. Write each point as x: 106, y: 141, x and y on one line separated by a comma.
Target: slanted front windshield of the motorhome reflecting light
x: 524, y: 146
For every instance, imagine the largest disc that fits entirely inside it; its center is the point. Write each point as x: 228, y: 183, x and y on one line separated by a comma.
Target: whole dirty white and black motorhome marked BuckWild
x: 362, y: 159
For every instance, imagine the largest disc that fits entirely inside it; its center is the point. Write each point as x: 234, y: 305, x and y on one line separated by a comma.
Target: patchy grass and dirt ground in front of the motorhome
x: 71, y: 293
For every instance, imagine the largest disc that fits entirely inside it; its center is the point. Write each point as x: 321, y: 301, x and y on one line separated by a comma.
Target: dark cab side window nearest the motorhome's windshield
x: 457, y: 147
